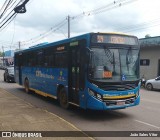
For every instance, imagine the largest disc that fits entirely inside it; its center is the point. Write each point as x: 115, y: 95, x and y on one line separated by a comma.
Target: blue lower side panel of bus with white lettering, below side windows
x: 45, y: 79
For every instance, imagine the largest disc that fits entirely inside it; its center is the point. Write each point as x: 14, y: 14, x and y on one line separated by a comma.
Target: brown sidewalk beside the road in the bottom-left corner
x: 23, y: 120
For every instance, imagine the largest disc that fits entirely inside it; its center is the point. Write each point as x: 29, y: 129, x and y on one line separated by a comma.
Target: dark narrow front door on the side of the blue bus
x: 74, y: 65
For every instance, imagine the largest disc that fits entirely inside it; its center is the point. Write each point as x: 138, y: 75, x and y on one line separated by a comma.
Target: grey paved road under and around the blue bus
x: 145, y: 117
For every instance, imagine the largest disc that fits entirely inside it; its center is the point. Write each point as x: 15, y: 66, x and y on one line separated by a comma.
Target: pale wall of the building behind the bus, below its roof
x: 153, y: 54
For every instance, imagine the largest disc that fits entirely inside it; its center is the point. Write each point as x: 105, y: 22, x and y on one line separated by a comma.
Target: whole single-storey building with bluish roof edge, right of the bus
x: 150, y: 57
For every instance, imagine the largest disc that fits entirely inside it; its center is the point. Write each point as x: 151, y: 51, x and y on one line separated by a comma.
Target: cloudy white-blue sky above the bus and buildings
x: 46, y: 20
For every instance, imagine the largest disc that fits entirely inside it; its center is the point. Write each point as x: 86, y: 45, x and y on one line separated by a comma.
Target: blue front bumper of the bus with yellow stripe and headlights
x: 101, y: 104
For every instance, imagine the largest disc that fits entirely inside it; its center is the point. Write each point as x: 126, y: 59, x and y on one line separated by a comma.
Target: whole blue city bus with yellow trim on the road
x: 98, y: 71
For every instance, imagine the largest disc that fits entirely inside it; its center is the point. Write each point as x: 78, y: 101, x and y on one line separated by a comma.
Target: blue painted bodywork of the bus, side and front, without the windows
x: 46, y: 80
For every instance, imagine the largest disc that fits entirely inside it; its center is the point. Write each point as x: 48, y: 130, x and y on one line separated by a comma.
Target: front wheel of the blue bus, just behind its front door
x: 63, y: 99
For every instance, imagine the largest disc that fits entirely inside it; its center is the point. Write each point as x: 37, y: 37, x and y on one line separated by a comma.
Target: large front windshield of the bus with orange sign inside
x: 114, y: 64
